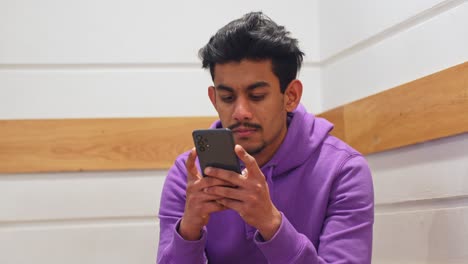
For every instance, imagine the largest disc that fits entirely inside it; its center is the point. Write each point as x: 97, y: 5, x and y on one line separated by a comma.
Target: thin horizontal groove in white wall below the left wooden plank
x: 78, y: 222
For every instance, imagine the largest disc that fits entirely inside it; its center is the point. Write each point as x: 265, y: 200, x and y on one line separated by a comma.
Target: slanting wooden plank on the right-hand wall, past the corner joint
x: 432, y: 107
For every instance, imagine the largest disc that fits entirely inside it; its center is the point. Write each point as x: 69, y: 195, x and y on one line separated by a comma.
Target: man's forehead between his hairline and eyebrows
x: 243, y: 73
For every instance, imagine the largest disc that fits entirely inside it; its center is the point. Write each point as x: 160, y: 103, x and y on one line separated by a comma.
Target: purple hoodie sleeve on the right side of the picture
x: 347, y: 228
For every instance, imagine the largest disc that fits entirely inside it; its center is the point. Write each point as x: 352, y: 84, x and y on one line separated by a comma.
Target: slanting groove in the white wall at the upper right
x: 393, y: 30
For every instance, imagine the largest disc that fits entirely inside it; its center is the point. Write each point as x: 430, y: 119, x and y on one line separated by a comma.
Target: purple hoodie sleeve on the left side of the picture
x: 172, y: 247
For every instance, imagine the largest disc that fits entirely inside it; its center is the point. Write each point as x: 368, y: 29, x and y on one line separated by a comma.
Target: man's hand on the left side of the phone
x: 199, y: 204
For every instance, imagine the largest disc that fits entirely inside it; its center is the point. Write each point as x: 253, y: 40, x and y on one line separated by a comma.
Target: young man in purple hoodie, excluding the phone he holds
x: 303, y: 196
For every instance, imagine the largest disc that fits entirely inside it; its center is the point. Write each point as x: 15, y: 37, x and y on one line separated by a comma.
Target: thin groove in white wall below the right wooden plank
x: 430, y: 204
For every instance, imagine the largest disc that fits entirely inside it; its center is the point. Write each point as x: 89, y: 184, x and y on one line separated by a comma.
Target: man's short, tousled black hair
x: 254, y: 36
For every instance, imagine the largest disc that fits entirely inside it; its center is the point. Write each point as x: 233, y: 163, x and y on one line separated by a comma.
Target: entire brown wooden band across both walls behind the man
x: 429, y: 108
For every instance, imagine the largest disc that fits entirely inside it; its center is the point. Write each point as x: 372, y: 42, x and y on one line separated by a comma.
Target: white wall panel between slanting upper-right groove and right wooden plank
x: 432, y: 46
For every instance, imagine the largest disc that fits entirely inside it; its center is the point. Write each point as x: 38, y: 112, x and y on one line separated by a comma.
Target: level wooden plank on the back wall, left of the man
x: 94, y: 144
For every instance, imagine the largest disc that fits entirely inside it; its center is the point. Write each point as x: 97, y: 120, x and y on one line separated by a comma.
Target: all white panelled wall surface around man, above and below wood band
x: 67, y: 59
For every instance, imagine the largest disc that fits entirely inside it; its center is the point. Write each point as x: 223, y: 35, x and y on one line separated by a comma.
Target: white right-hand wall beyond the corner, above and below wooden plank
x: 421, y: 191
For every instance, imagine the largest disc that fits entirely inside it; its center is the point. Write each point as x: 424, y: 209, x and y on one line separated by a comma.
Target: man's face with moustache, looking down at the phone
x: 248, y: 100
